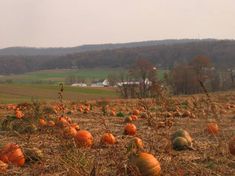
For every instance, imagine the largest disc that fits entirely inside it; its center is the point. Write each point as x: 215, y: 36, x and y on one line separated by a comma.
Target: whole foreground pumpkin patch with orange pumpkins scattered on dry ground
x: 169, y: 136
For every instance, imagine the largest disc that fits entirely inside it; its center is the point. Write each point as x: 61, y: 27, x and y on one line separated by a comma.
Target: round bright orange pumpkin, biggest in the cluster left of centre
x: 83, y: 138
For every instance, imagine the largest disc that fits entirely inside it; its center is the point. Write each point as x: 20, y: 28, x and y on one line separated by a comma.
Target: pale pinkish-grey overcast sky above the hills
x: 53, y: 23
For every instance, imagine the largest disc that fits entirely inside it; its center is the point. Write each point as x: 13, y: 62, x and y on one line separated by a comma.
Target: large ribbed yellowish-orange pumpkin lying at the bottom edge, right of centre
x: 147, y: 164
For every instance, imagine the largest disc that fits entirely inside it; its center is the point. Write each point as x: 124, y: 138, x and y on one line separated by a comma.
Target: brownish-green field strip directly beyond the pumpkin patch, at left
x: 16, y: 93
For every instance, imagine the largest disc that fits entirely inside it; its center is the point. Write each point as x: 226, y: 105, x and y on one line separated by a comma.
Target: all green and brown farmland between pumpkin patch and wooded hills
x: 43, y: 85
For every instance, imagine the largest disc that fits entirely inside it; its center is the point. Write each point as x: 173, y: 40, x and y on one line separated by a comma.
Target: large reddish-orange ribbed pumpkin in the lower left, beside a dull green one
x: 12, y: 153
